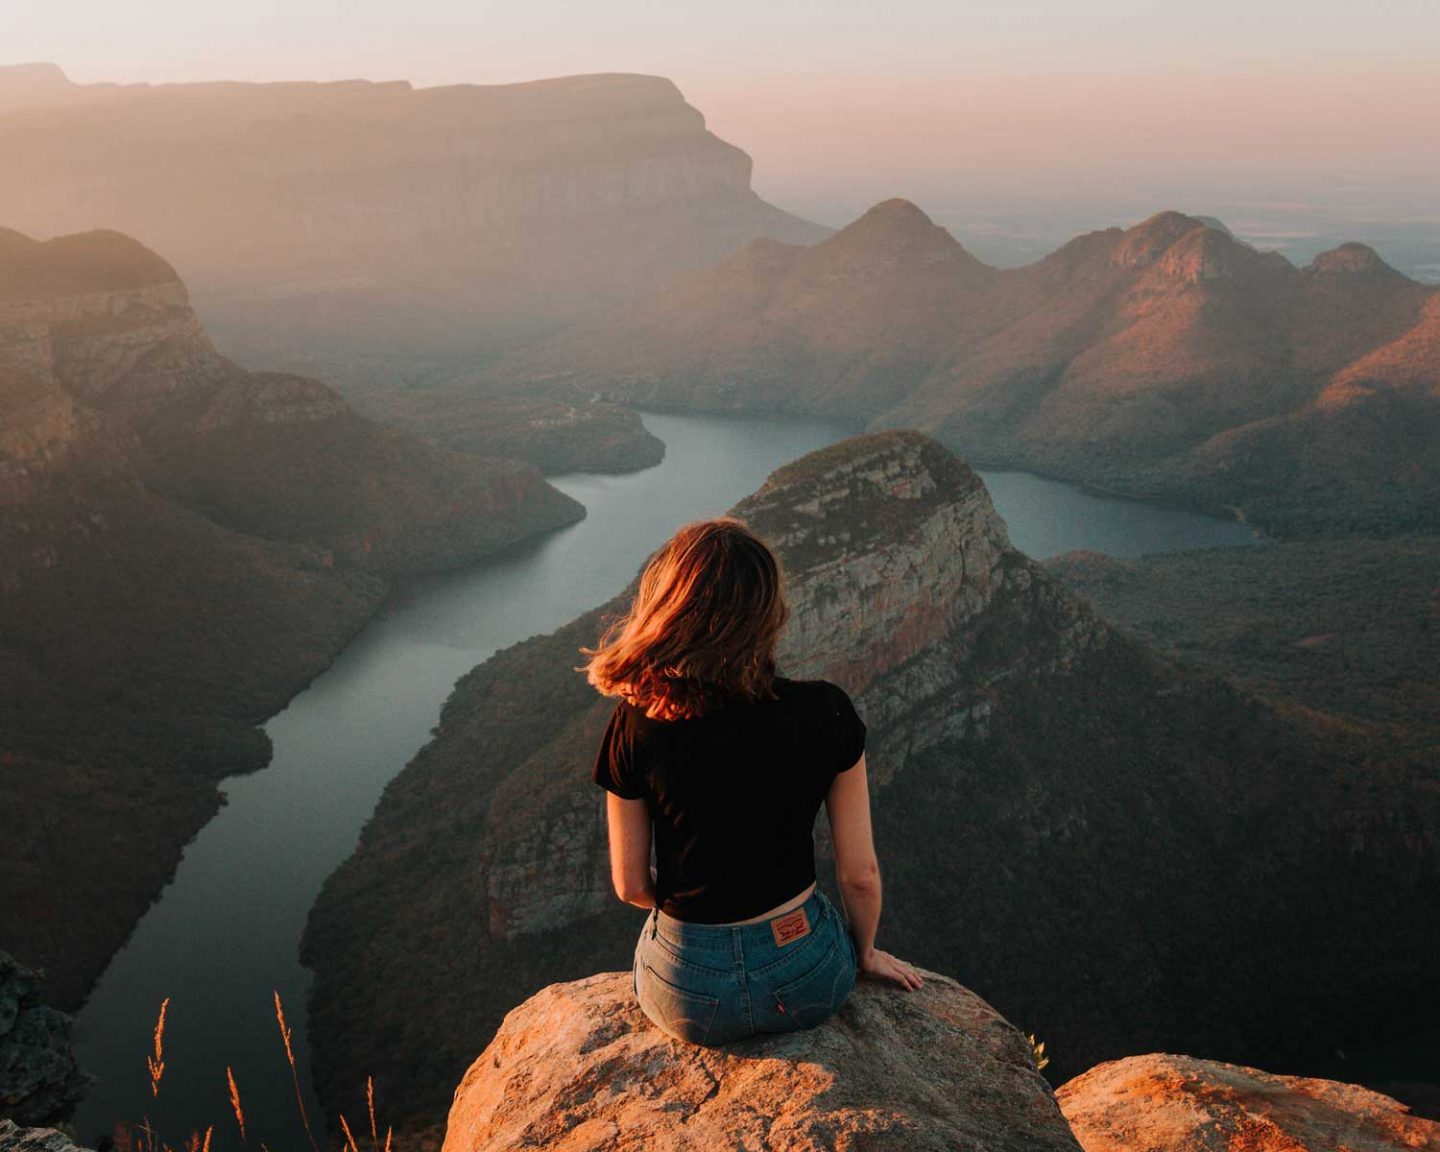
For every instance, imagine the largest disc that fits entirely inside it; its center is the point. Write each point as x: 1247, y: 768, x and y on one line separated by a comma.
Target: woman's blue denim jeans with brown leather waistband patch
x: 712, y: 986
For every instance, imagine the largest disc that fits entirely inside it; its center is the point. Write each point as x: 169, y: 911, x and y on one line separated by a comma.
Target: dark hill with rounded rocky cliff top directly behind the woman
x: 1120, y: 852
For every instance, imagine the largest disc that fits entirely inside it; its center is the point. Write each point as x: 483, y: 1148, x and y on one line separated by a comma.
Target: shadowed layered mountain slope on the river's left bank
x: 184, y: 545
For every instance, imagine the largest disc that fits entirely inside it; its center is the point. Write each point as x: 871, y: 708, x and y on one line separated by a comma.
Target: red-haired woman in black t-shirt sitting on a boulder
x: 724, y: 765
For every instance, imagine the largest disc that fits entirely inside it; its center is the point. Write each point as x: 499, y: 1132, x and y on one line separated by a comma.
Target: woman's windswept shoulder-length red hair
x: 703, y: 626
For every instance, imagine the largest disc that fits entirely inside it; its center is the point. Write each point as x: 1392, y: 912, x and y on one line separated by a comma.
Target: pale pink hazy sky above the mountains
x: 850, y: 100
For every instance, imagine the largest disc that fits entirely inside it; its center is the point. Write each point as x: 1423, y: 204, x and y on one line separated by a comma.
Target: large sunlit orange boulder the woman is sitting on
x: 578, y: 1068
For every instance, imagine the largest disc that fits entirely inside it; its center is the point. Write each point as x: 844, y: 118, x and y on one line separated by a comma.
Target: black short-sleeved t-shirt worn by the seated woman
x: 734, y: 794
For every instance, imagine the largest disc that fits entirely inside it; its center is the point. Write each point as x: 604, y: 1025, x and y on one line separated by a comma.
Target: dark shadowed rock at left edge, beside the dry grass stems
x: 40, y: 1079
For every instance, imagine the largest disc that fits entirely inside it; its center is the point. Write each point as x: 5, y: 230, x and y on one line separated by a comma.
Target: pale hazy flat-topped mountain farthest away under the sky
x: 369, y: 230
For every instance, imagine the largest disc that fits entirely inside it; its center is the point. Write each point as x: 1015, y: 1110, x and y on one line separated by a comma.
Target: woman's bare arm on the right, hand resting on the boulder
x: 859, y: 875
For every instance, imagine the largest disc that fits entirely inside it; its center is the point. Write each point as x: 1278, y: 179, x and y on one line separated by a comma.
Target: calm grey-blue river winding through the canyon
x: 225, y: 934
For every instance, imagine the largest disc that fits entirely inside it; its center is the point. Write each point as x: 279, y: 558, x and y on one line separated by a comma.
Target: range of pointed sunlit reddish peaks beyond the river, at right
x: 1167, y: 361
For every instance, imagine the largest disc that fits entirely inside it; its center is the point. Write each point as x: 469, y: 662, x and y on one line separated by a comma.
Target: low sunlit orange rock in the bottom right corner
x: 1177, y: 1104
